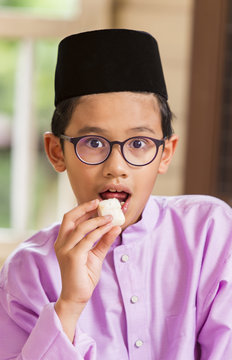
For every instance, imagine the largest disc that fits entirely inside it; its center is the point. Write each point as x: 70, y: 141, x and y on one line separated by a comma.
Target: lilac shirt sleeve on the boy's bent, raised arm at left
x: 30, y: 328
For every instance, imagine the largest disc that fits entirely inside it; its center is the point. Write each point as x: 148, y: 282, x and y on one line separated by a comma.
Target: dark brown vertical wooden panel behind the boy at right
x: 205, y: 102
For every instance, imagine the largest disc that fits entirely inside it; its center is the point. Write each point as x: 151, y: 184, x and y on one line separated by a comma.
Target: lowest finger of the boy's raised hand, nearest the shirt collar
x: 102, y: 247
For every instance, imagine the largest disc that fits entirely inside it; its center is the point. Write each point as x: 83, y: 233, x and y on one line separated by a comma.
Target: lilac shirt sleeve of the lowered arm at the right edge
x: 214, y: 298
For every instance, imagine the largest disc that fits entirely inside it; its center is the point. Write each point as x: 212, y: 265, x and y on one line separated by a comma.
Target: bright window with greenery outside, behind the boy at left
x: 29, y: 35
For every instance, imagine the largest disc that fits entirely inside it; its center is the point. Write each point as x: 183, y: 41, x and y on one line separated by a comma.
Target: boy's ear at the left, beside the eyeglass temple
x: 54, y: 151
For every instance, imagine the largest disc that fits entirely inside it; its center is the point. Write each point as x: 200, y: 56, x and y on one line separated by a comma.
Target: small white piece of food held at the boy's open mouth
x: 112, y: 207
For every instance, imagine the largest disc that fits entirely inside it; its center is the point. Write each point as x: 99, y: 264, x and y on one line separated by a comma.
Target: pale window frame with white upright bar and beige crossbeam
x: 28, y: 28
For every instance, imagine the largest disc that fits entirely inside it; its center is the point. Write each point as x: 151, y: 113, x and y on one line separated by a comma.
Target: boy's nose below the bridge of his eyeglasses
x: 115, y: 165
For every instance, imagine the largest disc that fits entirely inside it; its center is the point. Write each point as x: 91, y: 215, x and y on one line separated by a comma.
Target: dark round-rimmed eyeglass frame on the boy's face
x: 75, y: 140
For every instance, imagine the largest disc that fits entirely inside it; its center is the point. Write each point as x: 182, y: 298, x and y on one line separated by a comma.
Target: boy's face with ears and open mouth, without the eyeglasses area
x: 115, y: 116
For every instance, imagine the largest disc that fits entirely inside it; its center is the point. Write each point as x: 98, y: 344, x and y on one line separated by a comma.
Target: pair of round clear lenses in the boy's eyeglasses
x: 137, y: 151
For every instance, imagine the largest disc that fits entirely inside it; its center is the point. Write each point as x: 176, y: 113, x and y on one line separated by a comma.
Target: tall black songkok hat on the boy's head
x: 108, y: 60
